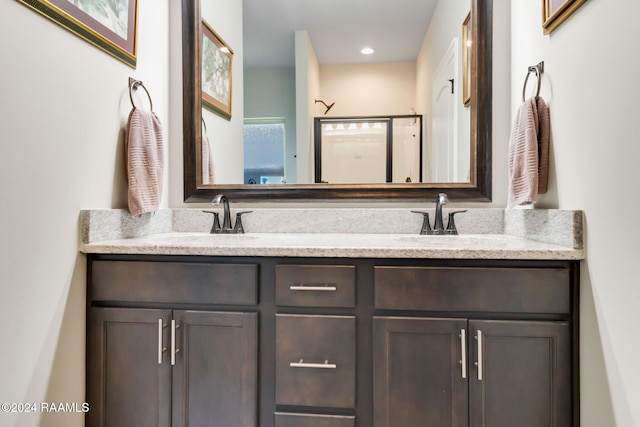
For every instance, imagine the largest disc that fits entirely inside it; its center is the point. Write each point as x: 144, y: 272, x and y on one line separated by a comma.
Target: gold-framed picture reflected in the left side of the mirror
x: 217, y: 73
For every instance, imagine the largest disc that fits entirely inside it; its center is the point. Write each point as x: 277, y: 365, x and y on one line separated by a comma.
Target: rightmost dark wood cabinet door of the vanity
x: 522, y: 377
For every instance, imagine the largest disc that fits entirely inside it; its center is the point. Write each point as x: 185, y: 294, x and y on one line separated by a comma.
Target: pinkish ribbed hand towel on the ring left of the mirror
x: 145, y: 161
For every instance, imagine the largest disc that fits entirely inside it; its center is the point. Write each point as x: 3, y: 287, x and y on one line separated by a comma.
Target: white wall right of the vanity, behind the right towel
x: 591, y: 66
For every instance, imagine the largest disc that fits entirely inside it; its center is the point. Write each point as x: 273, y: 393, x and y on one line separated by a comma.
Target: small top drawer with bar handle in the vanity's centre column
x: 316, y: 285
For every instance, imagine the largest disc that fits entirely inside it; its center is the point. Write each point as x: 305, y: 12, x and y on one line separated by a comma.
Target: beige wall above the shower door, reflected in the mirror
x: 368, y: 89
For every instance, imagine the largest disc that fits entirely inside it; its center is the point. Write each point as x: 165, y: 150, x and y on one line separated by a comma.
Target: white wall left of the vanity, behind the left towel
x: 63, y: 107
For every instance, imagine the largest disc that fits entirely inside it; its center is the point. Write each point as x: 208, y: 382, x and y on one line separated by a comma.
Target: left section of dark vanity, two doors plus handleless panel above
x: 171, y: 366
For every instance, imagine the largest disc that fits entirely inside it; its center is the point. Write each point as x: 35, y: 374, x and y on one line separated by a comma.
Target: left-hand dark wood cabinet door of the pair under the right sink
x: 418, y: 374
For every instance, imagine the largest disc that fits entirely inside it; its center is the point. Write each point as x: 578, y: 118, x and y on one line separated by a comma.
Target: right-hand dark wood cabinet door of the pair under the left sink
x: 215, y: 375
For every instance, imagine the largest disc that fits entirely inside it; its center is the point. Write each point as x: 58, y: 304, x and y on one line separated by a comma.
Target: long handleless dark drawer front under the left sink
x: 173, y: 282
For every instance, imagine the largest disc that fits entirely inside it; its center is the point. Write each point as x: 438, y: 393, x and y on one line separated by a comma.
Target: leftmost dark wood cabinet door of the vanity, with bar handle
x: 129, y: 381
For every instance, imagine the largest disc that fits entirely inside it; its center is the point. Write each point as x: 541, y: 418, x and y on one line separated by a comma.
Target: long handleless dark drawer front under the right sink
x: 507, y: 290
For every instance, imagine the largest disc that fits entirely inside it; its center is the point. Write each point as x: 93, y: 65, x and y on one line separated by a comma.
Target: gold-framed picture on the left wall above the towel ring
x: 110, y: 25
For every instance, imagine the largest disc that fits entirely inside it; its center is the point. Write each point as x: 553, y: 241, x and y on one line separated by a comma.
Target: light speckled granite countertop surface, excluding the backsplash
x: 351, y: 245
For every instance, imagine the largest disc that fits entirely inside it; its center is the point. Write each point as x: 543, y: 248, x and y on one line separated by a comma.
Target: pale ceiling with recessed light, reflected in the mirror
x: 338, y: 30
